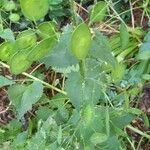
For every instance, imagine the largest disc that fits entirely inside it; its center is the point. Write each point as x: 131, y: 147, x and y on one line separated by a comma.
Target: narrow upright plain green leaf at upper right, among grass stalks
x: 124, y: 36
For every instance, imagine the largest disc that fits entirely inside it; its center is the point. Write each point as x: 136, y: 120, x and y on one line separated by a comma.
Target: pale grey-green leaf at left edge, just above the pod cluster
x: 7, y: 34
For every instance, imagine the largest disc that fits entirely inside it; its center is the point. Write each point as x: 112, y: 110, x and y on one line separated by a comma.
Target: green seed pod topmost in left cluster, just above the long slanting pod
x: 47, y: 30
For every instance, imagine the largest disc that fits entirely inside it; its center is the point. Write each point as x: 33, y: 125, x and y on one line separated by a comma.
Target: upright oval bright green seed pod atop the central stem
x: 81, y: 41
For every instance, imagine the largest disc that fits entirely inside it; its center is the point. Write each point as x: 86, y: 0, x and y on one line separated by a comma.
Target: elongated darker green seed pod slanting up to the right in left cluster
x: 41, y: 49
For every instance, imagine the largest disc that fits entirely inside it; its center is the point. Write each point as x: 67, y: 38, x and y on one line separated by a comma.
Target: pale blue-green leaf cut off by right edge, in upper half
x: 144, y: 51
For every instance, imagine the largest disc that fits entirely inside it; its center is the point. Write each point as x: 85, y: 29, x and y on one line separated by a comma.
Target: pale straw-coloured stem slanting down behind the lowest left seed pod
x: 37, y: 79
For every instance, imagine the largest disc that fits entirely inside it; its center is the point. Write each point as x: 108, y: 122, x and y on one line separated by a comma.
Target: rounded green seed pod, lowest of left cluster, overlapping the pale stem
x: 19, y: 63
